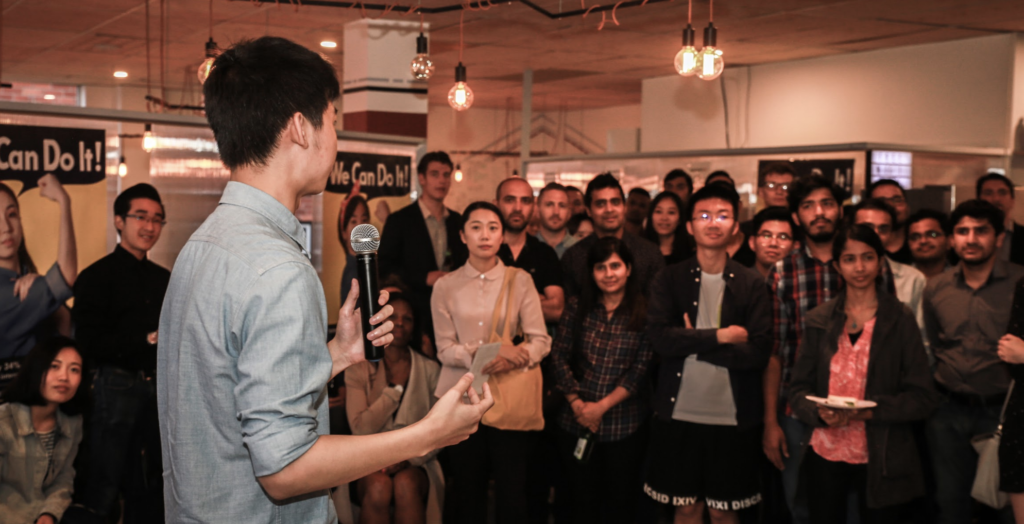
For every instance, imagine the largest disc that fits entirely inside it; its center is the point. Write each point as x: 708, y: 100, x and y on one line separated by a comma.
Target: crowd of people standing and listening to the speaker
x: 655, y: 360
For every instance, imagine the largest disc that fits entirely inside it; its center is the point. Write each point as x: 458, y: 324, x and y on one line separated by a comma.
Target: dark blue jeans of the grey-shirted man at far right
x: 955, y: 462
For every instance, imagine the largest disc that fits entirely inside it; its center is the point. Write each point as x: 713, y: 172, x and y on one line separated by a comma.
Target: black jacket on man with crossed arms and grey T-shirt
x: 675, y: 292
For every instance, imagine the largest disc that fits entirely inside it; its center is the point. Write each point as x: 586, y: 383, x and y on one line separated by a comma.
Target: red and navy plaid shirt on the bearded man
x: 797, y: 285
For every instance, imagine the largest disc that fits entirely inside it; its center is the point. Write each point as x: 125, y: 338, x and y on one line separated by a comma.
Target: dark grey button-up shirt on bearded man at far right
x: 964, y: 327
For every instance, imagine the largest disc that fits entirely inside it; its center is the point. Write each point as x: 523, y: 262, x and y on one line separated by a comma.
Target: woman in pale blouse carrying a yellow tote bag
x: 463, y: 303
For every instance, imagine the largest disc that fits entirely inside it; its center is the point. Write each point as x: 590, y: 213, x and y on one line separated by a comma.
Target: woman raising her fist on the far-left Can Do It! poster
x: 28, y: 299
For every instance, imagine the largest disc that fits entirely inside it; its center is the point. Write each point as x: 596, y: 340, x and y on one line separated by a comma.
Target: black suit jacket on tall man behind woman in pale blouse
x: 407, y: 252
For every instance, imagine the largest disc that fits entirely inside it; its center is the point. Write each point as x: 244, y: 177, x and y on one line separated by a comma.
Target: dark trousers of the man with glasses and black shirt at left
x: 124, y: 449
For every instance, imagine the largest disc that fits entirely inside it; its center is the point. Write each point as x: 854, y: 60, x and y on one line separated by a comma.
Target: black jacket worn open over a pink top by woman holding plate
x: 899, y: 379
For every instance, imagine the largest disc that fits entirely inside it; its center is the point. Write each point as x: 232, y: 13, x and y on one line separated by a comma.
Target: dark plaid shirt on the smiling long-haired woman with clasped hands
x: 610, y: 357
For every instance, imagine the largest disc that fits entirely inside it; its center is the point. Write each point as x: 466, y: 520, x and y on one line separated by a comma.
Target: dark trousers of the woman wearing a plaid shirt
x: 608, y: 488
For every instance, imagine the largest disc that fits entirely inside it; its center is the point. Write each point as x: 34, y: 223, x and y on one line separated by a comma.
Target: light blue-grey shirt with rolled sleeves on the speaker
x: 242, y: 367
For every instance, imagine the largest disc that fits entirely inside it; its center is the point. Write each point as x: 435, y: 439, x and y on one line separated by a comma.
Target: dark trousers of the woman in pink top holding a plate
x: 829, y: 485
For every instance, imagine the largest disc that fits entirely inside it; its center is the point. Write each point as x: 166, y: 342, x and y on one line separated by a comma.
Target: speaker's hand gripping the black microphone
x: 347, y: 347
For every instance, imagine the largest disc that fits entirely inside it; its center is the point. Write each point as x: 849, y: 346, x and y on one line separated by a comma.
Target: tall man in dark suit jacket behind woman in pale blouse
x: 421, y: 242
